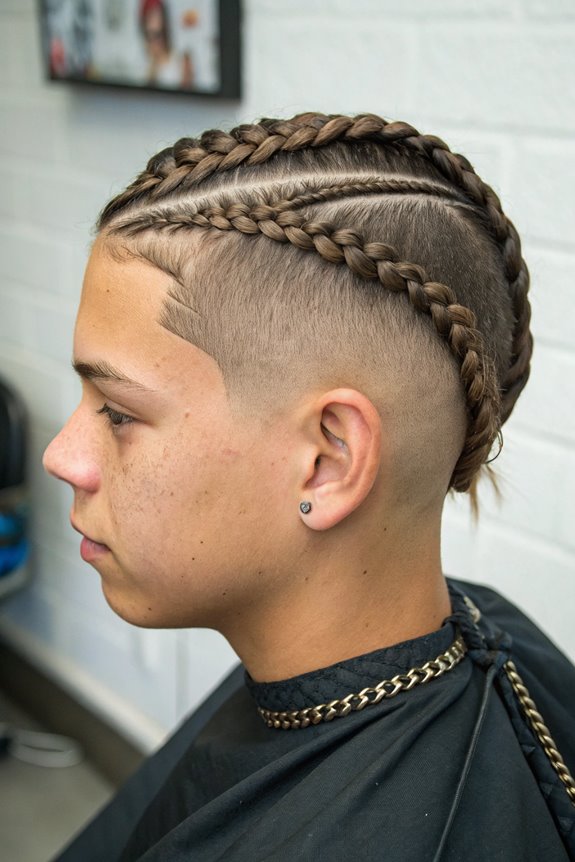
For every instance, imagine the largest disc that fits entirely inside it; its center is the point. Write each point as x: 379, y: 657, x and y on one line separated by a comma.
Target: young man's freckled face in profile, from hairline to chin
x: 180, y: 499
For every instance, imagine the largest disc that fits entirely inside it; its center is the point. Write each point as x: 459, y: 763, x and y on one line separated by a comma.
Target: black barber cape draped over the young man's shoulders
x: 449, y: 770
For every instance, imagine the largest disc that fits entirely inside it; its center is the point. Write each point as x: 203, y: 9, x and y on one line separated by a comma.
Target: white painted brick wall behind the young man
x: 497, y: 80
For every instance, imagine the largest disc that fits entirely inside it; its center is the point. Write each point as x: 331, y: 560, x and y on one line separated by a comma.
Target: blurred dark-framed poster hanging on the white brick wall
x: 188, y: 46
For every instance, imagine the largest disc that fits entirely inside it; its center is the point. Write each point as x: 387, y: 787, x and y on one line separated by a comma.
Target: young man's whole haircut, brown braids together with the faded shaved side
x: 336, y: 251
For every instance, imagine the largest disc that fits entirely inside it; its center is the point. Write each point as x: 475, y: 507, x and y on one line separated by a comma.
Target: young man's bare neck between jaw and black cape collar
x: 342, y: 604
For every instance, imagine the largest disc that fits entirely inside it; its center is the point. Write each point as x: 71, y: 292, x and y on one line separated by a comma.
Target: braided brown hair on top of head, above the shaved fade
x: 276, y: 179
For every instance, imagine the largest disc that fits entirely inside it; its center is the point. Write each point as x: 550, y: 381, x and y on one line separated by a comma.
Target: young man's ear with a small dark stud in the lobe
x: 341, y: 466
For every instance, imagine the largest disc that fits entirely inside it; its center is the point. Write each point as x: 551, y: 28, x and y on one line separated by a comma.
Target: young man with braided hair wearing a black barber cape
x: 294, y: 339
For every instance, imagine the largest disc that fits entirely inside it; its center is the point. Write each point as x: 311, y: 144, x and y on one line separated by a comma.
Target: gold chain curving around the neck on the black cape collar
x: 384, y: 690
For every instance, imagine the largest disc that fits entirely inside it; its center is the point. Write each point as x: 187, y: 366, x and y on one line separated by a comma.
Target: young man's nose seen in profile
x: 71, y: 456
